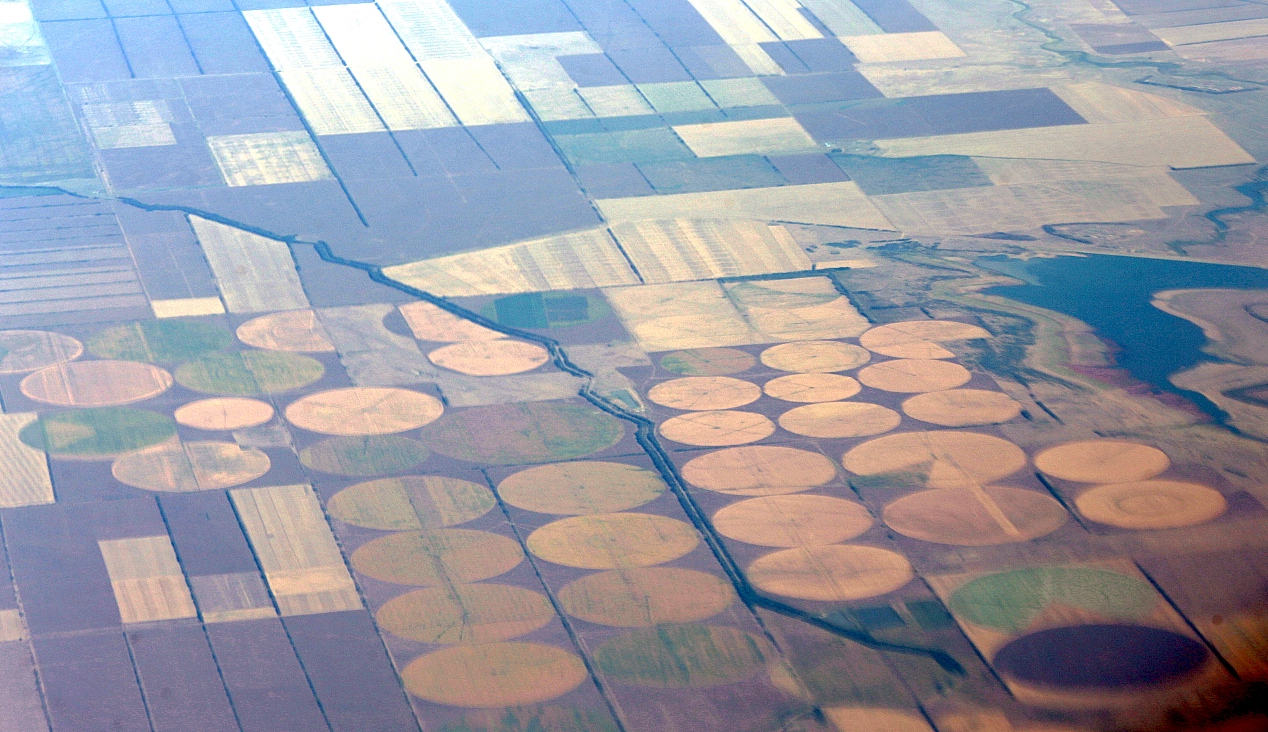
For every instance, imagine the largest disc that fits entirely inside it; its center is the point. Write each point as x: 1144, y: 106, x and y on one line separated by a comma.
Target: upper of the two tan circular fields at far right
x: 1103, y: 462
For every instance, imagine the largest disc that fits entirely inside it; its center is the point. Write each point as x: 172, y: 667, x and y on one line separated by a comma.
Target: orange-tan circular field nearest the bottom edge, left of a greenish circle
x: 488, y: 676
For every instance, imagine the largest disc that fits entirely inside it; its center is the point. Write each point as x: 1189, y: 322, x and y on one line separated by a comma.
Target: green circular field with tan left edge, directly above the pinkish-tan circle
x: 160, y: 341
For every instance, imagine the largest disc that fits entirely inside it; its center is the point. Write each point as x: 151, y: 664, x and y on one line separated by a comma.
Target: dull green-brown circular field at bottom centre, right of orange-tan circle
x: 683, y: 657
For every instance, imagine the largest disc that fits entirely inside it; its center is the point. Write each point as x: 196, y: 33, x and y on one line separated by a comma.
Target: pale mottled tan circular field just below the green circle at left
x: 186, y: 467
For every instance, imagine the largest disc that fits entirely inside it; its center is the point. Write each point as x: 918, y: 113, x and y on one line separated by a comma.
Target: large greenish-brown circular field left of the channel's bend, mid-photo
x: 524, y: 433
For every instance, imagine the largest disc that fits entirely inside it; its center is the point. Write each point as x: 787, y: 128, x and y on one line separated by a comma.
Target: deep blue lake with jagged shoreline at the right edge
x: 1113, y: 295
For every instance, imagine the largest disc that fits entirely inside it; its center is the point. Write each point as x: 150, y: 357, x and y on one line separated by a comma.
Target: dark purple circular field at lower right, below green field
x: 1101, y: 658
